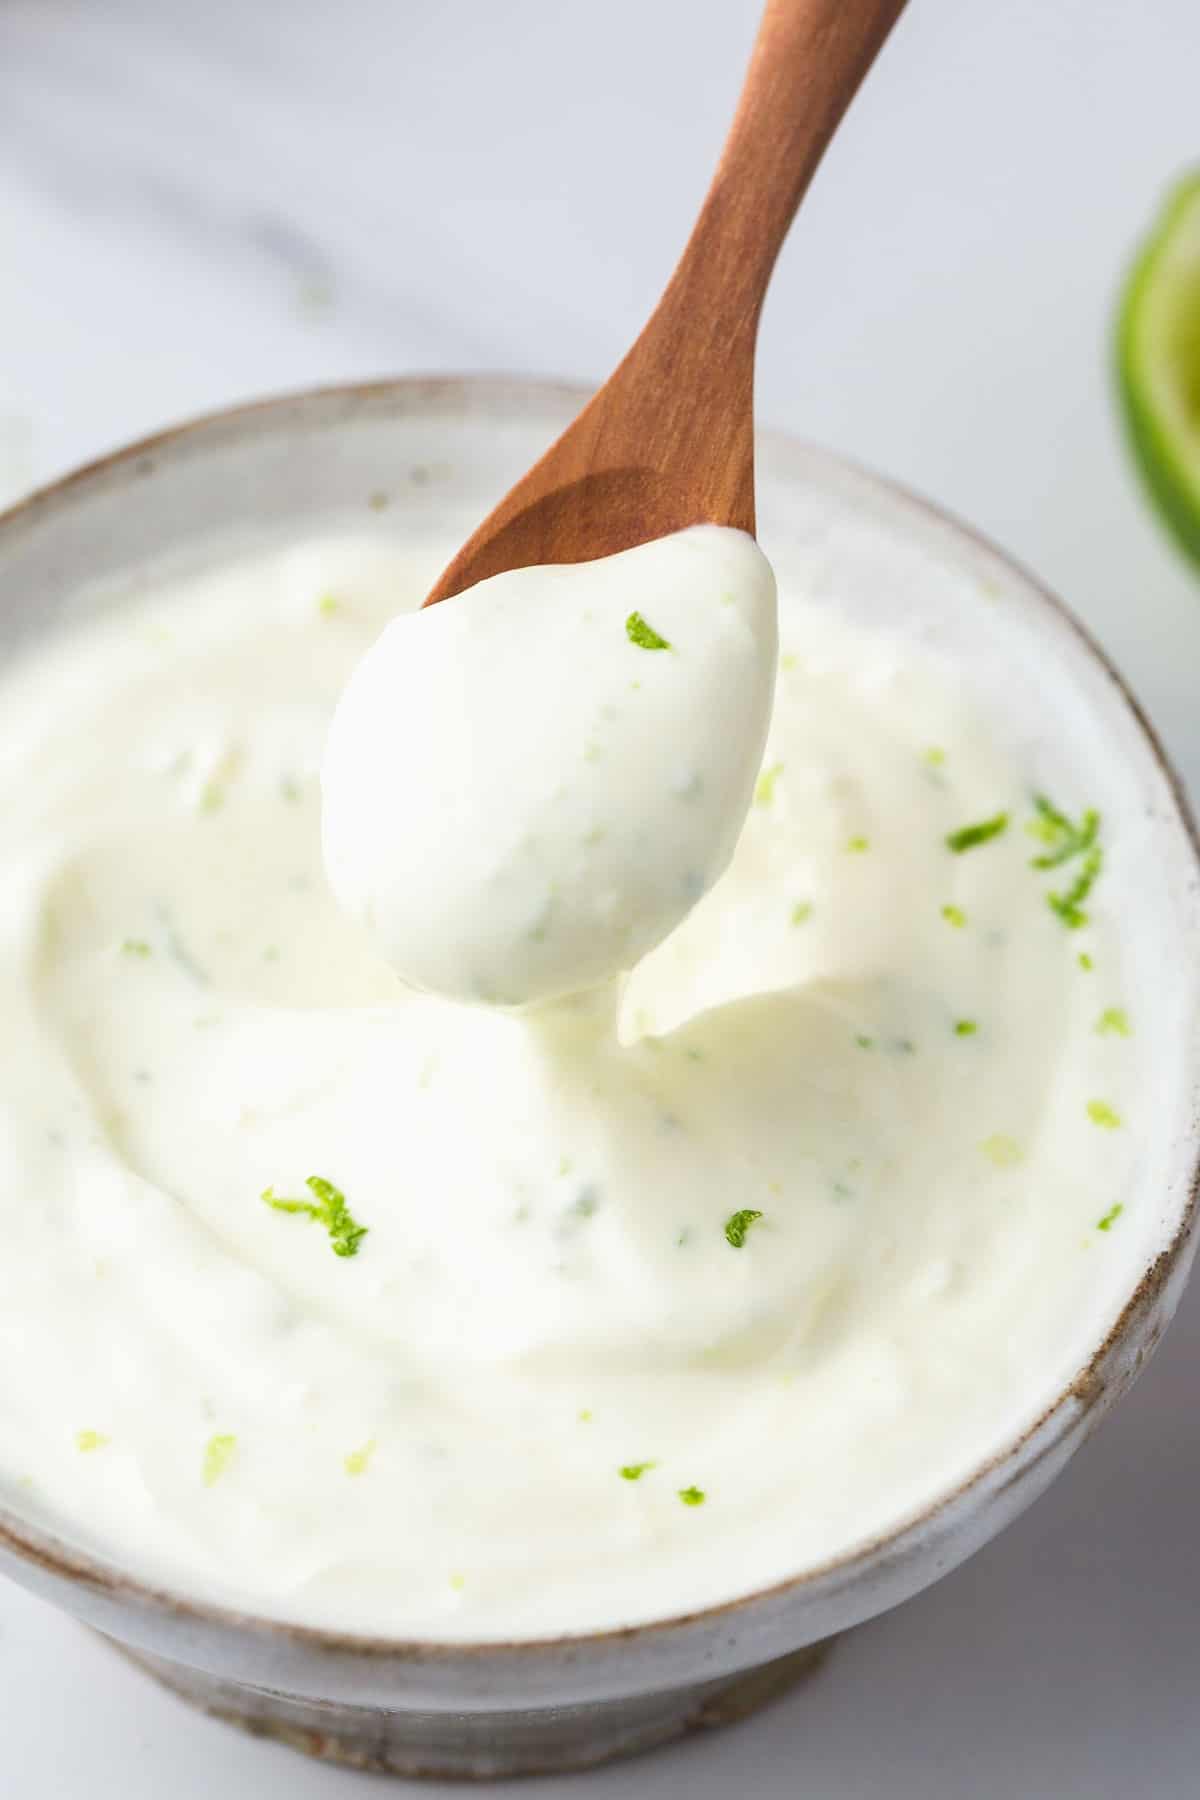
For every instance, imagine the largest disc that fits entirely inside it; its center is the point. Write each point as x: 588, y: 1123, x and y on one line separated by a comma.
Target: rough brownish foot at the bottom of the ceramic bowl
x: 479, y: 1745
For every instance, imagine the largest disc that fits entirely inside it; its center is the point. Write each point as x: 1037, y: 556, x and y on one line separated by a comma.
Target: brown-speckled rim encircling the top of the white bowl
x: 1091, y: 1389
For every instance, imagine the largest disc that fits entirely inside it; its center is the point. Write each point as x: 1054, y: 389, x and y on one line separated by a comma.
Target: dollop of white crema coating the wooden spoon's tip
x: 528, y: 787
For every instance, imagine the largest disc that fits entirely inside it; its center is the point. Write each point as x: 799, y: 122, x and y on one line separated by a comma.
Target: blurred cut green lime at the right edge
x: 1160, y: 363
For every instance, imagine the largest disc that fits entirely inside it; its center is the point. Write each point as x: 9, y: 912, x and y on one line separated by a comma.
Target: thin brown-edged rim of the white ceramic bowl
x: 1088, y: 1389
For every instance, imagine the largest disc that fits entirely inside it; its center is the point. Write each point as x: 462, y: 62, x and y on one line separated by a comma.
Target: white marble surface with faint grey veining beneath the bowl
x: 206, y: 202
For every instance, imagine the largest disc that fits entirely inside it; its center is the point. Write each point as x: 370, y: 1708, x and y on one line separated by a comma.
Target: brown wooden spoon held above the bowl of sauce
x: 668, y: 442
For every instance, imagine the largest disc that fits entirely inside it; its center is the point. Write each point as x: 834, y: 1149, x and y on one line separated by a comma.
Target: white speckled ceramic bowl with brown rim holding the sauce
x: 433, y: 456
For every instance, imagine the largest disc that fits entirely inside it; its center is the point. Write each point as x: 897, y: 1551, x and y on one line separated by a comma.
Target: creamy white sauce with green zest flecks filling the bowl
x: 559, y: 1383
